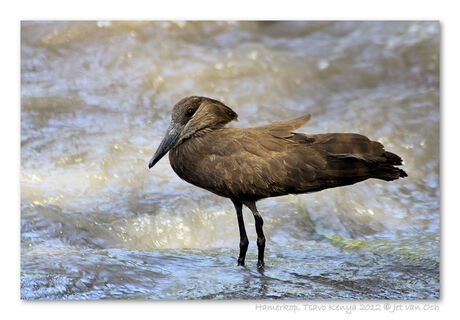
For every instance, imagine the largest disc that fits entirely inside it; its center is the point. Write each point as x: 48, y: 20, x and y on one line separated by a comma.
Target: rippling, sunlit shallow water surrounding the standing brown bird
x: 96, y: 98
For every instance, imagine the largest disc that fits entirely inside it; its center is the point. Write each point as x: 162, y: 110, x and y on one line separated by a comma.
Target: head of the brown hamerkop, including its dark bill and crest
x: 190, y: 116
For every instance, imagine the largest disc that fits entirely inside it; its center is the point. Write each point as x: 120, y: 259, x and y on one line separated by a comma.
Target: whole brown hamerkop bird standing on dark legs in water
x: 249, y: 164
